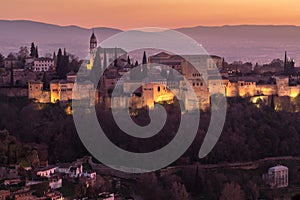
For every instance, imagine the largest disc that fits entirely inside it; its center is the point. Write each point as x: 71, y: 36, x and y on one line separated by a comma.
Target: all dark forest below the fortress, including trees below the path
x: 32, y: 132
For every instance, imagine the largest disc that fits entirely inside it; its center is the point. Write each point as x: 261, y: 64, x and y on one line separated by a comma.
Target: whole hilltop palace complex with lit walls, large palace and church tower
x: 160, y: 89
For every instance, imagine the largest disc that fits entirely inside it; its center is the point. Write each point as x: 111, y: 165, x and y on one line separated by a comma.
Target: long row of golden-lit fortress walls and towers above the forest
x: 158, y: 92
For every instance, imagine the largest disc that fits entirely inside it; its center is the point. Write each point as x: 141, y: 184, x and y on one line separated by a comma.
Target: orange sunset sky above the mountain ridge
x: 129, y: 14
